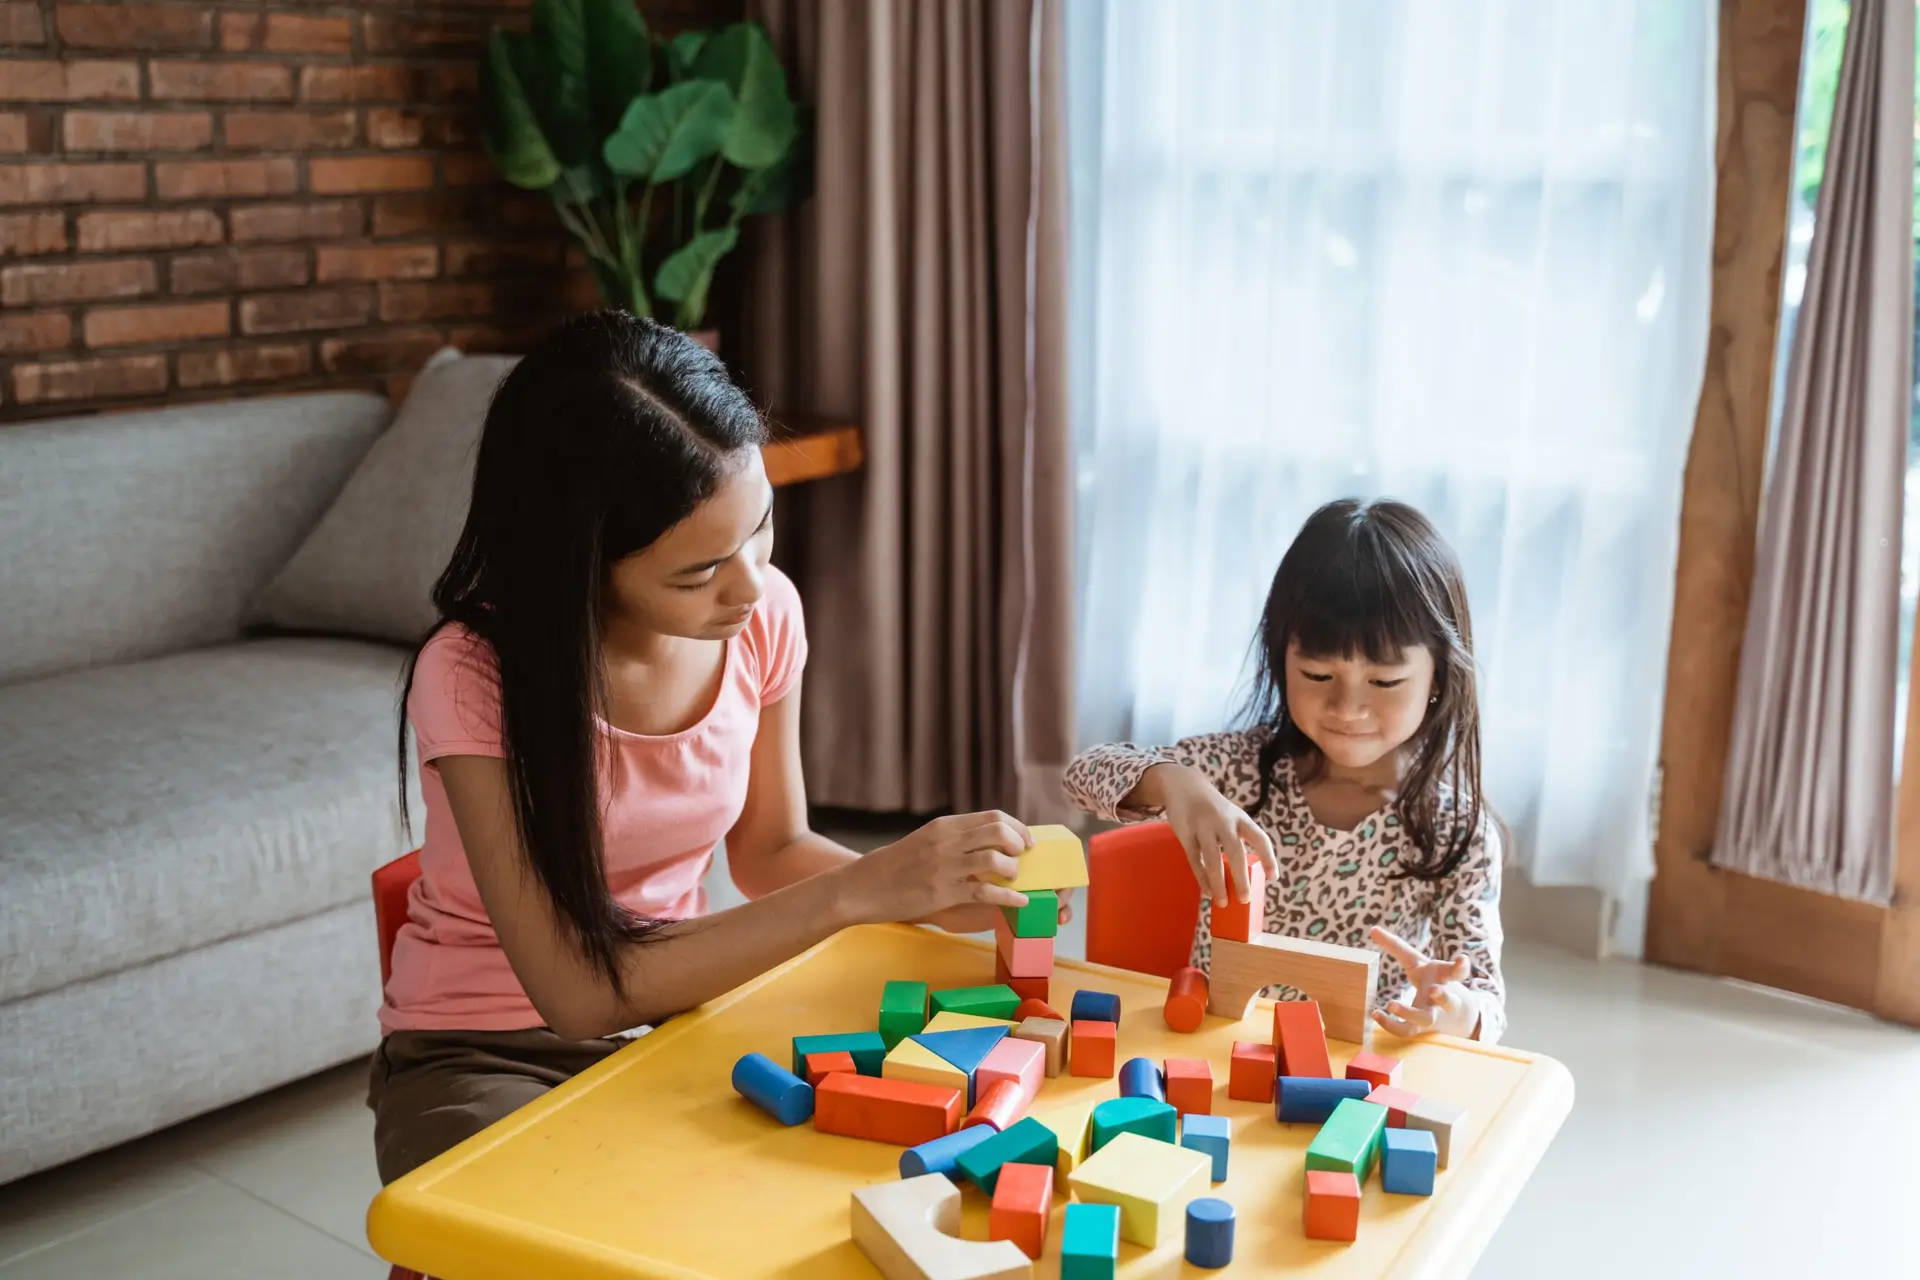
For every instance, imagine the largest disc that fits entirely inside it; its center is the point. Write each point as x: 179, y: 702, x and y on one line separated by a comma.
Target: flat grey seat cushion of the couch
x: 156, y: 807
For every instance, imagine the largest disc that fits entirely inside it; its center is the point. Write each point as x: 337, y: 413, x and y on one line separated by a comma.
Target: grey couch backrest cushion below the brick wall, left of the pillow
x: 139, y: 534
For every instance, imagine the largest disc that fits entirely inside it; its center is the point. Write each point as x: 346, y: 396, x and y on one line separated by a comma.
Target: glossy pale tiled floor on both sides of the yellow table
x: 1719, y: 1133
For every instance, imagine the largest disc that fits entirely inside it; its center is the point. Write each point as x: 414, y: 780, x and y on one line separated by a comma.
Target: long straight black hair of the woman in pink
x: 608, y: 435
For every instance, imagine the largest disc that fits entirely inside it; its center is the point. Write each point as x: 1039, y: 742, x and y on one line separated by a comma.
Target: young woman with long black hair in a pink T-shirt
x: 615, y: 688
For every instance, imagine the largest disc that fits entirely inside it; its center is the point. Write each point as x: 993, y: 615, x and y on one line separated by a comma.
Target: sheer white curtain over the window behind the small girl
x: 1445, y: 250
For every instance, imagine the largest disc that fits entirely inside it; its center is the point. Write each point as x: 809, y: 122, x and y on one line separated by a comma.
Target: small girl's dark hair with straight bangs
x: 1376, y: 581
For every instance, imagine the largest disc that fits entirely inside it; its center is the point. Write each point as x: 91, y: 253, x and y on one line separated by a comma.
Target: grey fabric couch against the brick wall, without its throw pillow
x: 187, y: 815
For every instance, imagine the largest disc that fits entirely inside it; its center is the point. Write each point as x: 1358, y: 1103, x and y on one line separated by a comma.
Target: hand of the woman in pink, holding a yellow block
x: 946, y: 865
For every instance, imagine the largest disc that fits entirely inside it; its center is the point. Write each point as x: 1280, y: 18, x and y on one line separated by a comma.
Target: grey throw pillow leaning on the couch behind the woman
x: 372, y: 565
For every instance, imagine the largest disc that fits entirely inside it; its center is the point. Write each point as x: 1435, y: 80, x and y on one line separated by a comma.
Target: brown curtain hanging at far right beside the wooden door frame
x: 1810, y: 782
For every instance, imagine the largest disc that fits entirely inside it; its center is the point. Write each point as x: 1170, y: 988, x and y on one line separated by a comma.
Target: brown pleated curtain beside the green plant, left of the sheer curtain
x: 923, y: 295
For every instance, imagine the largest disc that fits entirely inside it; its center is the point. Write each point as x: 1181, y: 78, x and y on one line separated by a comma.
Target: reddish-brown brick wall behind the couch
x: 208, y: 201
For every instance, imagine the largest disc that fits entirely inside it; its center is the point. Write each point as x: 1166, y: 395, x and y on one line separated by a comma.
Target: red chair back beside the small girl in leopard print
x: 1141, y: 901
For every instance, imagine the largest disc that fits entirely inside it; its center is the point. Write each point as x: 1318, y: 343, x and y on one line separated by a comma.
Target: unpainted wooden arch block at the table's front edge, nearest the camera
x: 911, y: 1231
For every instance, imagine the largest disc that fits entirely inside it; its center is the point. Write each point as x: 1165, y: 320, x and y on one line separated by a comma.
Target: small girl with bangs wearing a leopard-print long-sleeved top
x: 1360, y: 782
